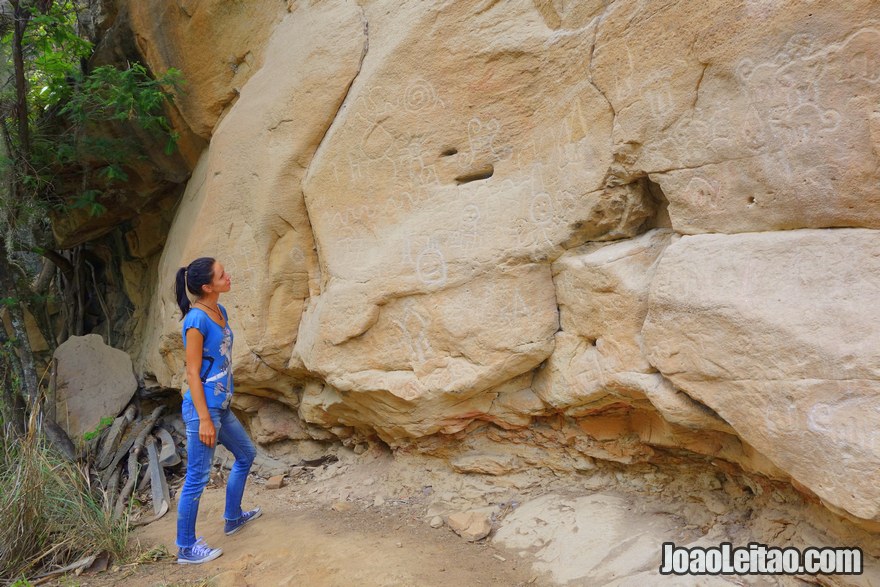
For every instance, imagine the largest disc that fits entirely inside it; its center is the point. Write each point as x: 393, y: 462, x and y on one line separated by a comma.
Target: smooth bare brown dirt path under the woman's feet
x: 316, y: 545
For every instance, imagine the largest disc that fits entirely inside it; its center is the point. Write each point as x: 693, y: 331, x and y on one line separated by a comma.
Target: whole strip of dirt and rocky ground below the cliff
x: 374, y: 520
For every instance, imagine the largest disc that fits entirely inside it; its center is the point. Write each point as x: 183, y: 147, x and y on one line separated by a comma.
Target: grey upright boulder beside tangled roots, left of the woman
x: 93, y: 381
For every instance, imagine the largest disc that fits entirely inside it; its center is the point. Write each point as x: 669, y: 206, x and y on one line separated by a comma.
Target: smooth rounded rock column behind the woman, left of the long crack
x: 240, y: 205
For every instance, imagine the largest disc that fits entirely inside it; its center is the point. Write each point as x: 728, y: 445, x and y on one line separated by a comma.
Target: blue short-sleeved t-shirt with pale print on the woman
x: 216, y: 368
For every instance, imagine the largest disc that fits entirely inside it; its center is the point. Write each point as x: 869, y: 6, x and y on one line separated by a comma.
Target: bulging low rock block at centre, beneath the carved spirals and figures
x: 435, y: 356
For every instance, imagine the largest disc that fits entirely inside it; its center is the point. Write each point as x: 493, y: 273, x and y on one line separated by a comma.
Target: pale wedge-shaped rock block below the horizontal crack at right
x: 775, y: 332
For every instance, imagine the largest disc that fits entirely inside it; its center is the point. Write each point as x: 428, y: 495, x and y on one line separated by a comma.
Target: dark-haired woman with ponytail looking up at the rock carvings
x: 207, y: 340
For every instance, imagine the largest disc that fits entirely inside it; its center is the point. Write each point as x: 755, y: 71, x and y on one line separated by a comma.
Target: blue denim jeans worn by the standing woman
x: 231, y: 434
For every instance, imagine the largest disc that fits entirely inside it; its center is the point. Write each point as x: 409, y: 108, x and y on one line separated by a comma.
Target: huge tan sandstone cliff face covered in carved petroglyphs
x: 538, y: 233
